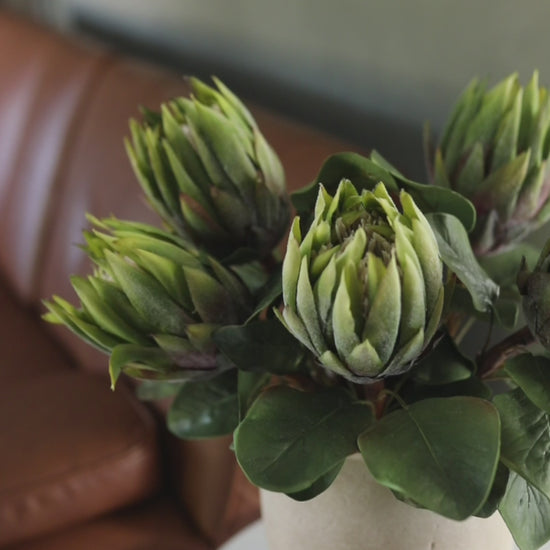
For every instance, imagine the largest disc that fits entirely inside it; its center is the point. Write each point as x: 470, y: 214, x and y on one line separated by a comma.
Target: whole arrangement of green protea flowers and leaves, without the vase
x: 352, y: 341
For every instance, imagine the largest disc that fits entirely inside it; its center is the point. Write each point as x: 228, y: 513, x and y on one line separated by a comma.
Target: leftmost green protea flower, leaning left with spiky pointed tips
x: 152, y: 302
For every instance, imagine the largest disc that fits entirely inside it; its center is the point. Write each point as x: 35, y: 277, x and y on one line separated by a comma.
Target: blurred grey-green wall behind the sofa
x: 372, y: 71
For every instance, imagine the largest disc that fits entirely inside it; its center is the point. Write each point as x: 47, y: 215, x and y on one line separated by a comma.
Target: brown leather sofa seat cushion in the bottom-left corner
x: 76, y: 450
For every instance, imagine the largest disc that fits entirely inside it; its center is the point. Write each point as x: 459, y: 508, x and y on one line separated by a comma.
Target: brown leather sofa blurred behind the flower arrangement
x: 81, y: 466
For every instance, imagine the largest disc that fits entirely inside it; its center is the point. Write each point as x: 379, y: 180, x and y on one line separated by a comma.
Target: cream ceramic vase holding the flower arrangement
x: 356, y: 513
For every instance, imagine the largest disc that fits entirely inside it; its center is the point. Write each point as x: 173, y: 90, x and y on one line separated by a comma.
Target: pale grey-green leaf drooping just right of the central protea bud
x: 457, y: 254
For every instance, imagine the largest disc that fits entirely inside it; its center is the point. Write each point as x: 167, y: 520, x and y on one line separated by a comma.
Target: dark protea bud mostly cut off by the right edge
x: 535, y: 288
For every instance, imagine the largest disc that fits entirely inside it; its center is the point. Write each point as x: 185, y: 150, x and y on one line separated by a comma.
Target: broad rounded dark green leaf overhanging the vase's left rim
x: 290, y: 438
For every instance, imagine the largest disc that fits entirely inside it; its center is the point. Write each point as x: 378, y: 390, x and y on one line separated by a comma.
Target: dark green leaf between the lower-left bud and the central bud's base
x: 260, y: 345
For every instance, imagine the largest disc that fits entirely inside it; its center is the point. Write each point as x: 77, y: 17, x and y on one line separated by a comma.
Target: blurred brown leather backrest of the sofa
x: 64, y: 109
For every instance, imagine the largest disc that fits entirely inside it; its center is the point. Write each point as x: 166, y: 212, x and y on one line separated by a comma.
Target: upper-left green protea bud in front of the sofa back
x: 209, y: 172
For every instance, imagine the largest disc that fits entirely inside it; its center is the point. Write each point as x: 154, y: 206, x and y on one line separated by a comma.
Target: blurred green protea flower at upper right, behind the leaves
x: 494, y: 151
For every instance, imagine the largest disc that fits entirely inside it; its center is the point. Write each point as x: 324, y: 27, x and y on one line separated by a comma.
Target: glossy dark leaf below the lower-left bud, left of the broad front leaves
x: 205, y: 408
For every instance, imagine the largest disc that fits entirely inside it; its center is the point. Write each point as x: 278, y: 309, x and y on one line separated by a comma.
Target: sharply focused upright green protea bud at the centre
x: 363, y: 288
